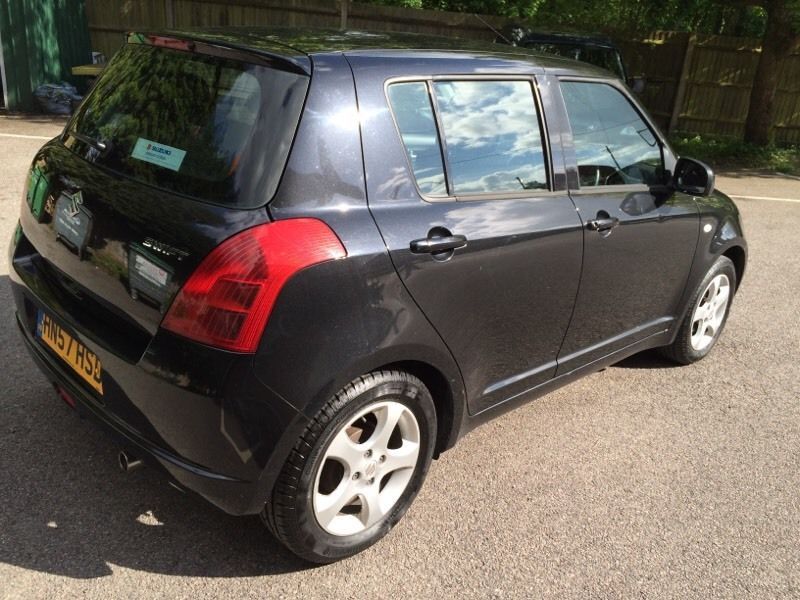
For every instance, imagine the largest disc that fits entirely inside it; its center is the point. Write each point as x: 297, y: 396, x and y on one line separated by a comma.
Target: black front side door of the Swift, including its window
x: 639, y: 237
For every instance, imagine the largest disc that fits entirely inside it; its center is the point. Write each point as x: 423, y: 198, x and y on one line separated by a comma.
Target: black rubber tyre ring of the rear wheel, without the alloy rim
x: 326, y: 547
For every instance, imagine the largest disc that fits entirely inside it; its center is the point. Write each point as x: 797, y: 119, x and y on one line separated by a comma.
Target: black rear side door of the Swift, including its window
x: 462, y: 188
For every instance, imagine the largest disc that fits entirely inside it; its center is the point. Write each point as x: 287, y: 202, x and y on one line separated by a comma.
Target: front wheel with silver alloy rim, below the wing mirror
x: 707, y: 315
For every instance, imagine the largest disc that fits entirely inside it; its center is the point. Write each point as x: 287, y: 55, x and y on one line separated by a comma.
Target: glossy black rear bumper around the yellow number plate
x: 201, y: 417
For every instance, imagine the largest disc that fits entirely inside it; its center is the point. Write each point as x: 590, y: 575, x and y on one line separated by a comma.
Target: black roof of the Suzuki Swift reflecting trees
x: 297, y: 44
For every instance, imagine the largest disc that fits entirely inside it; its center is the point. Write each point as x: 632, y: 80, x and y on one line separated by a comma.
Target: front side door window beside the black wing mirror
x: 613, y: 144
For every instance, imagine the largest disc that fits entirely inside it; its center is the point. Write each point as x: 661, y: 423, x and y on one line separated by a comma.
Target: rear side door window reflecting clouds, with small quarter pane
x: 492, y: 139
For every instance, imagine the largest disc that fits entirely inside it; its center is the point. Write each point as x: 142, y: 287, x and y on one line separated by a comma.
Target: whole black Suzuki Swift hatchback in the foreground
x: 290, y: 269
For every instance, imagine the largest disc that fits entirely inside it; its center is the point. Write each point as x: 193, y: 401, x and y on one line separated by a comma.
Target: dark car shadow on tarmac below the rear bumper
x: 68, y: 510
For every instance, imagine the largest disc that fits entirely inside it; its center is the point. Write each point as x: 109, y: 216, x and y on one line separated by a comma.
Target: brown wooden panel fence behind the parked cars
x: 695, y: 83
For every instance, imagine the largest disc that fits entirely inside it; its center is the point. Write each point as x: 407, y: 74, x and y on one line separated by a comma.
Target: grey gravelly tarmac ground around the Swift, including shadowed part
x: 644, y: 480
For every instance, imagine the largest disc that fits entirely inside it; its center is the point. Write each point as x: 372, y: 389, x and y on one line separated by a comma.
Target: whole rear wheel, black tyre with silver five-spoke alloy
x: 356, y: 469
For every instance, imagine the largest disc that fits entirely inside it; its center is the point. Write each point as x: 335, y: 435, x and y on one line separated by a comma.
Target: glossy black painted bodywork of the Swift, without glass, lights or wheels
x: 534, y: 300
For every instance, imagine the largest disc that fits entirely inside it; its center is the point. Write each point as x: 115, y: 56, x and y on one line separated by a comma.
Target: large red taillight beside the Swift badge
x: 226, y: 302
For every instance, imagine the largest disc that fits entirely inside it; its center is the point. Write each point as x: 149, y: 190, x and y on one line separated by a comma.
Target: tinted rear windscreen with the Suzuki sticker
x: 203, y: 126
